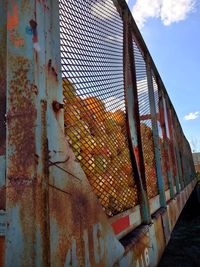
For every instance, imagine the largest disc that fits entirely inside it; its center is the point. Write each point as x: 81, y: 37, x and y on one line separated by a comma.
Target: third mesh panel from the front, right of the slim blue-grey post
x: 161, y: 131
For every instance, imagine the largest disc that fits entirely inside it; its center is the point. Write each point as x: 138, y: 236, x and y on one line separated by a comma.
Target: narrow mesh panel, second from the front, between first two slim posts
x: 145, y: 123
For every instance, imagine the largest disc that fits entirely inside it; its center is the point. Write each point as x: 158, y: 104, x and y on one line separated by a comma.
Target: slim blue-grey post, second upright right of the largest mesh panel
x: 155, y: 135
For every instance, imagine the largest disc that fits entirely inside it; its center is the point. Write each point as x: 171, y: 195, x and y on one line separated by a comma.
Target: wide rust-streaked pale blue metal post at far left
x: 30, y: 75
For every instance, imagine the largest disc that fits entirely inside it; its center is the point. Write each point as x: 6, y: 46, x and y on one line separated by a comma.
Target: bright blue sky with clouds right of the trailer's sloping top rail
x: 171, y: 30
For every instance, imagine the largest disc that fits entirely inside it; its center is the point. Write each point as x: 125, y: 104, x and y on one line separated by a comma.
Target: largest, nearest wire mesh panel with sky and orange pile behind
x: 94, y: 100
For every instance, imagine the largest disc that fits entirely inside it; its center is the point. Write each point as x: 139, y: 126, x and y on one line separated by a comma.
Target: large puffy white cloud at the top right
x: 168, y: 11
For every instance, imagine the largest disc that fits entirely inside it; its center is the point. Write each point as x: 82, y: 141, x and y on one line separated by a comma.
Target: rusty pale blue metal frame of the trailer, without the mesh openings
x: 43, y: 188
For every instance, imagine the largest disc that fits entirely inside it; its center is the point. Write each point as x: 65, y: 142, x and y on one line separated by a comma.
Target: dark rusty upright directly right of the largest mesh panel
x: 133, y: 116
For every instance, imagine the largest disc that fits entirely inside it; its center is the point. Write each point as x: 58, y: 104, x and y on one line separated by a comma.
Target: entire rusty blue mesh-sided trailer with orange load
x: 77, y: 94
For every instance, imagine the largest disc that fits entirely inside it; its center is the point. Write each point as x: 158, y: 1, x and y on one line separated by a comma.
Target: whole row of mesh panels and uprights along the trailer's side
x: 95, y: 53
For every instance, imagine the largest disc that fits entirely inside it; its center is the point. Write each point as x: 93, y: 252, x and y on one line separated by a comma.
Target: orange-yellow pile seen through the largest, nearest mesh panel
x: 98, y: 139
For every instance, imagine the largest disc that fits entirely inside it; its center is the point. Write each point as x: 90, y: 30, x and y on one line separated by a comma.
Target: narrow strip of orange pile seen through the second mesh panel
x: 149, y: 160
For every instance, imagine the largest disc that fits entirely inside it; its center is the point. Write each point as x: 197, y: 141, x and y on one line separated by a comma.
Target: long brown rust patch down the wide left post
x: 21, y: 121
